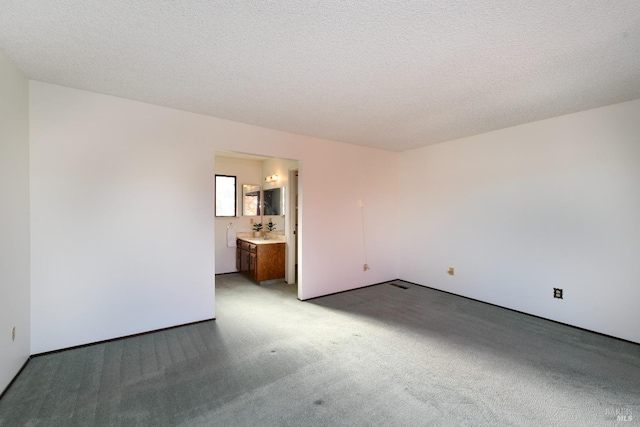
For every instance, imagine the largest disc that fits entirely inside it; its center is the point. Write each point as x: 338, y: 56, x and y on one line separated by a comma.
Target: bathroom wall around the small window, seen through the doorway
x: 247, y: 172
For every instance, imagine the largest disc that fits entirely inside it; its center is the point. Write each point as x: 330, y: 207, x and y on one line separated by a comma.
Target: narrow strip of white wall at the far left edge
x: 14, y: 220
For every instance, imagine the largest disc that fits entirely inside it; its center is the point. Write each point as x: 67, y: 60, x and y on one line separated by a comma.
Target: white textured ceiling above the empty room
x: 388, y: 74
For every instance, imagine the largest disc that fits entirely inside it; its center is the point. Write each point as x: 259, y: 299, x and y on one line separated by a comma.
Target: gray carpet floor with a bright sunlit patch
x: 378, y: 356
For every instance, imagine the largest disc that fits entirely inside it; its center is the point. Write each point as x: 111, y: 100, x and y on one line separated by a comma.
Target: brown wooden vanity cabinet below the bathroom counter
x: 260, y: 262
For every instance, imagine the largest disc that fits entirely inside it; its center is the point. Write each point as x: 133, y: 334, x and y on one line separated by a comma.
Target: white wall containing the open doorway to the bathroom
x: 122, y: 213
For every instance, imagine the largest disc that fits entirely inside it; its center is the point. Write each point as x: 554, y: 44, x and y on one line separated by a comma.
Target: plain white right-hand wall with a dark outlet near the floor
x: 520, y: 211
